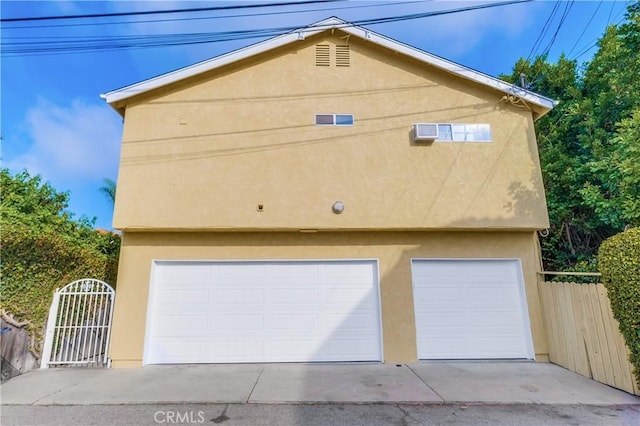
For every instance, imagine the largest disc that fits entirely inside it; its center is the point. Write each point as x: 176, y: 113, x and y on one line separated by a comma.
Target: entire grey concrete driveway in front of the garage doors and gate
x: 429, y: 382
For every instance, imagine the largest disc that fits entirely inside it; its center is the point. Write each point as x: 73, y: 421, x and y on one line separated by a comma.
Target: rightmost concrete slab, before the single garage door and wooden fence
x: 515, y: 383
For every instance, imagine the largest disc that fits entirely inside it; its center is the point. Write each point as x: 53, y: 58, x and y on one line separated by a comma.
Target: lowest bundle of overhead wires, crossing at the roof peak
x: 157, y: 40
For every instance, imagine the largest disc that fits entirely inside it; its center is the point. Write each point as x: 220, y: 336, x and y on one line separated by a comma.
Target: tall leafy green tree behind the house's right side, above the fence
x: 588, y: 144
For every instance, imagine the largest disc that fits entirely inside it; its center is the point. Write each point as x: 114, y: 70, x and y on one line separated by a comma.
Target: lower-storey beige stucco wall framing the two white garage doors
x: 393, y: 250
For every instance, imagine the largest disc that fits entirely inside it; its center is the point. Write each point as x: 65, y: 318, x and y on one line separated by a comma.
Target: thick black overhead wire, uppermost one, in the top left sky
x: 158, y: 12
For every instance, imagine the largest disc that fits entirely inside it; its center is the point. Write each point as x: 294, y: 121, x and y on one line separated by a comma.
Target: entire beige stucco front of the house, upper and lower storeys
x: 199, y: 156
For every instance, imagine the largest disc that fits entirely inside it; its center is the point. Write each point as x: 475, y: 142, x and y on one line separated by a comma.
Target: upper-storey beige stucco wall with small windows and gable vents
x: 203, y: 153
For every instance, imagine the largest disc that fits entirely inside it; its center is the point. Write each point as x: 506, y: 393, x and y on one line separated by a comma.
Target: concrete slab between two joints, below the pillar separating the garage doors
x: 340, y: 383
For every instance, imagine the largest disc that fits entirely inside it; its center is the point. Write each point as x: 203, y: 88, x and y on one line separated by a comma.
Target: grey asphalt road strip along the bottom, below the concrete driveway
x: 321, y: 414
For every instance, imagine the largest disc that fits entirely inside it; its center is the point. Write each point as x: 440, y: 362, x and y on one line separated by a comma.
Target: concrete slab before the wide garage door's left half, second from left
x: 223, y: 383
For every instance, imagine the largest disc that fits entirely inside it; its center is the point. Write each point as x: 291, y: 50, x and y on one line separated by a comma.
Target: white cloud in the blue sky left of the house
x: 79, y: 140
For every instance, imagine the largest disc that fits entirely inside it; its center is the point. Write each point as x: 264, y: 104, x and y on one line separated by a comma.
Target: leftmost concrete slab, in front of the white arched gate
x: 38, y: 384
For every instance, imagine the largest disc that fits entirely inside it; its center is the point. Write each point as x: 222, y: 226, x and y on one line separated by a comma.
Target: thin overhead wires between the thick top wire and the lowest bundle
x: 199, y: 18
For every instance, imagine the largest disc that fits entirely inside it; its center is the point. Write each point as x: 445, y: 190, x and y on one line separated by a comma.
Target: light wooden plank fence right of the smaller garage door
x: 583, y: 335
